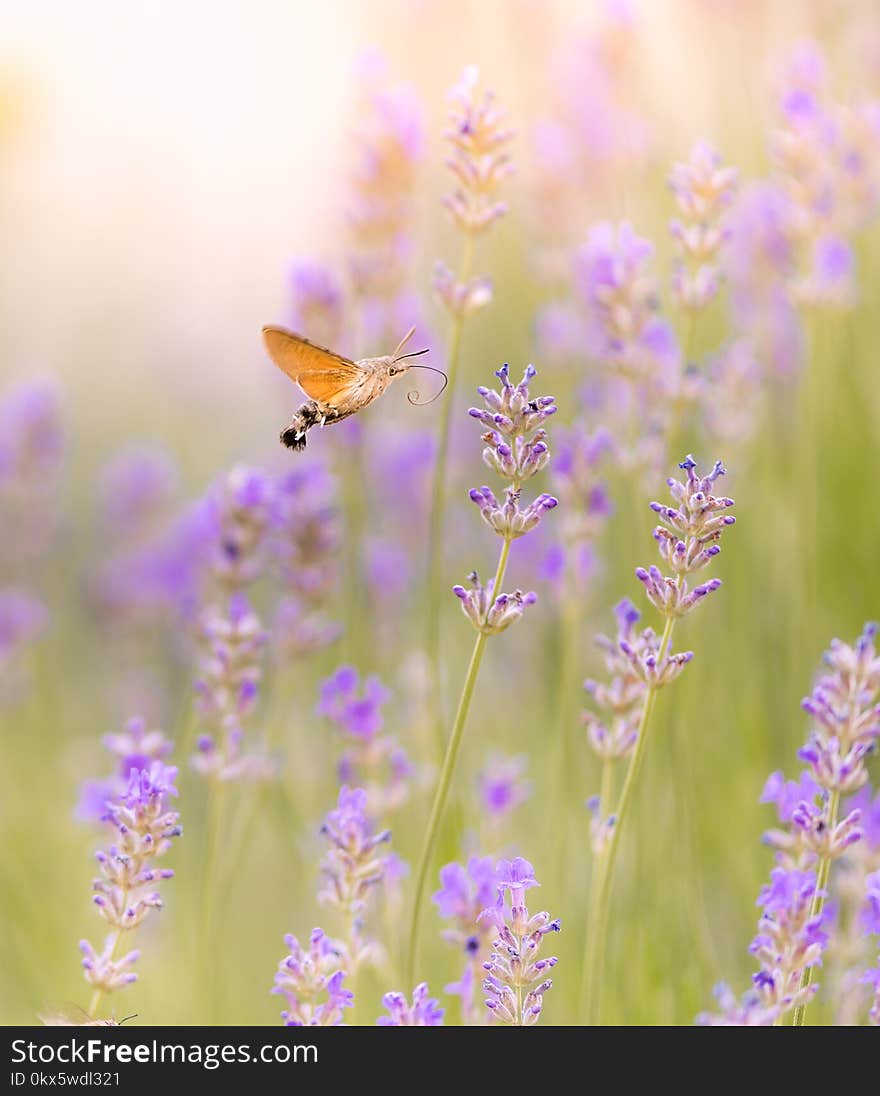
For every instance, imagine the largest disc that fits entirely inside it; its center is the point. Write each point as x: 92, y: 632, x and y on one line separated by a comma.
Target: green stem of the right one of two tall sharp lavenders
x: 600, y: 897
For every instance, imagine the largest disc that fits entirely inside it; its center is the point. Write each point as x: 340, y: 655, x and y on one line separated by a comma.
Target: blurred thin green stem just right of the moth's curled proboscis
x: 439, y: 499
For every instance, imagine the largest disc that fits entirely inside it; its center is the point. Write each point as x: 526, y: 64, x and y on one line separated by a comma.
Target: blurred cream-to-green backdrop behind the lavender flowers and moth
x: 164, y: 166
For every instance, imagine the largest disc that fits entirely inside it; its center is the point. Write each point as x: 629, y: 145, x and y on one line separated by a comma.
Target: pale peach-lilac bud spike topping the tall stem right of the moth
x: 481, y: 159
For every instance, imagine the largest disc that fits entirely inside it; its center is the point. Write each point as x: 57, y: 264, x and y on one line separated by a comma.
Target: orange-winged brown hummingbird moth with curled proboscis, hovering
x: 336, y: 386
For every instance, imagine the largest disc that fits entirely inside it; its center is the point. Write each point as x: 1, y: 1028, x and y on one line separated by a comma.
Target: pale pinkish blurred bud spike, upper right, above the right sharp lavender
x: 704, y: 188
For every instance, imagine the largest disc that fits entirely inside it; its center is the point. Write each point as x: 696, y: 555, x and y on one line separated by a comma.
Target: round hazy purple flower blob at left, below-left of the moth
x: 136, y: 490
